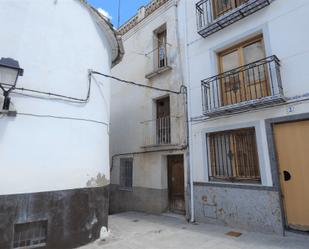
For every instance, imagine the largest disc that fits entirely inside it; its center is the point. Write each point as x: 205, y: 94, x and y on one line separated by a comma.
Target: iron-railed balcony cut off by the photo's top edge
x: 211, y: 17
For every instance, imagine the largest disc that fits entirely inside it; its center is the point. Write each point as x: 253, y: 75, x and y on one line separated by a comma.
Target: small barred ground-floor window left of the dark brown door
x: 126, y: 173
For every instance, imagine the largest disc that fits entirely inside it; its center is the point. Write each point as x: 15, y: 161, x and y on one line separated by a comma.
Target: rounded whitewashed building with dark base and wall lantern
x: 54, y: 141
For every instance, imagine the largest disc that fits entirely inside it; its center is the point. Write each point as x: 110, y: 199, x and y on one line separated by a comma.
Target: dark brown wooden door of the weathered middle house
x: 176, y: 183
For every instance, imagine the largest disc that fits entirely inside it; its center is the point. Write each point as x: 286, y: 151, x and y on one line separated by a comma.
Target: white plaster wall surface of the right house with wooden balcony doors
x: 284, y: 25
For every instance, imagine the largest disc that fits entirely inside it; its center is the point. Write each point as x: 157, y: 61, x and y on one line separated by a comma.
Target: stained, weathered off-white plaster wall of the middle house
x: 131, y: 106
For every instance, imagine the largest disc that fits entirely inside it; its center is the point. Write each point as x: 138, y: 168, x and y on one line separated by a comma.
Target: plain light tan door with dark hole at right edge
x: 292, y: 143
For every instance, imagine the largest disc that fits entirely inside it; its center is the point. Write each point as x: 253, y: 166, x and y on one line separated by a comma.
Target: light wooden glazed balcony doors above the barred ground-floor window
x: 248, y: 83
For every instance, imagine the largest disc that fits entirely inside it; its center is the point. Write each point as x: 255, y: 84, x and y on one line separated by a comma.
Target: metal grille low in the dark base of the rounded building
x: 30, y: 235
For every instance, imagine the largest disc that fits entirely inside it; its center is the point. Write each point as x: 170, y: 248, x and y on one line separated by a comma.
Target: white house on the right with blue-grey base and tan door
x: 248, y: 89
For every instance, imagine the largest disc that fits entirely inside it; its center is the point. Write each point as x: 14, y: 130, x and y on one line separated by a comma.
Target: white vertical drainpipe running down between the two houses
x: 187, y: 59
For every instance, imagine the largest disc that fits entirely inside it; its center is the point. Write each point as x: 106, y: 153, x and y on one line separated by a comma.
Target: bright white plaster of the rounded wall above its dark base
x: 56, y: 42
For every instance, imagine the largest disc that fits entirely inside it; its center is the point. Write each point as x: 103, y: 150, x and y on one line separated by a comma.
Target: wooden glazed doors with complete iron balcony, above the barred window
x: 246, y: 79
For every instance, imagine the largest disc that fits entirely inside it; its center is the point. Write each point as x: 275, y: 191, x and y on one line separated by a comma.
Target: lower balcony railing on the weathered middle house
x: 159, y: 132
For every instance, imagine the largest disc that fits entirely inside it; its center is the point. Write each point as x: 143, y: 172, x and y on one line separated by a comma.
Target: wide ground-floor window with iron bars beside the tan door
x: 233, y: 156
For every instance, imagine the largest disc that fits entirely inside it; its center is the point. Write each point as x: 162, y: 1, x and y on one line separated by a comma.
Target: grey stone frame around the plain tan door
x: 269, y: 125
